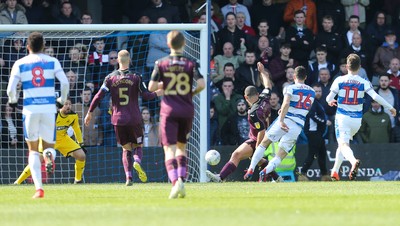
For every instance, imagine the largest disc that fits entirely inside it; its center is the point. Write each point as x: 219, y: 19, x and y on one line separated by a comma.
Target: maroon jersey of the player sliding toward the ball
x: 258, y: 114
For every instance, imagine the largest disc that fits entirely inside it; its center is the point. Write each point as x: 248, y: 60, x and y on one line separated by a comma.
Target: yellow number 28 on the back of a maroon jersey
x: 179, y: 84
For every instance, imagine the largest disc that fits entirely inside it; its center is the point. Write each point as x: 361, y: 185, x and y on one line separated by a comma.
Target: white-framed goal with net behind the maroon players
x: 87, y: 54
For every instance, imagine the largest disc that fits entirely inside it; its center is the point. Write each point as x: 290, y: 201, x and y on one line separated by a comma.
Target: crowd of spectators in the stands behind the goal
x: 281, y: 34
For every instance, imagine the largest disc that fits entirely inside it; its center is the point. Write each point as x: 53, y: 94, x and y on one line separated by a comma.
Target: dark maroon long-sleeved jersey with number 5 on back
x: 125, y: 88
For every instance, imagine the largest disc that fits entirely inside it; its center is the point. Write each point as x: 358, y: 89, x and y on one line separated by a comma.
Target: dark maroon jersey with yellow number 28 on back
x: 177, y: 74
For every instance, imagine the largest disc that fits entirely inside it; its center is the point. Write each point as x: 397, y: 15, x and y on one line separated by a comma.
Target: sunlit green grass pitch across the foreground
x: 231, y: 203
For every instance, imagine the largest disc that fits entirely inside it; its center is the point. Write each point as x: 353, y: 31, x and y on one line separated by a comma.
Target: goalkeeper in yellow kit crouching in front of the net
x: 64, y: 143
